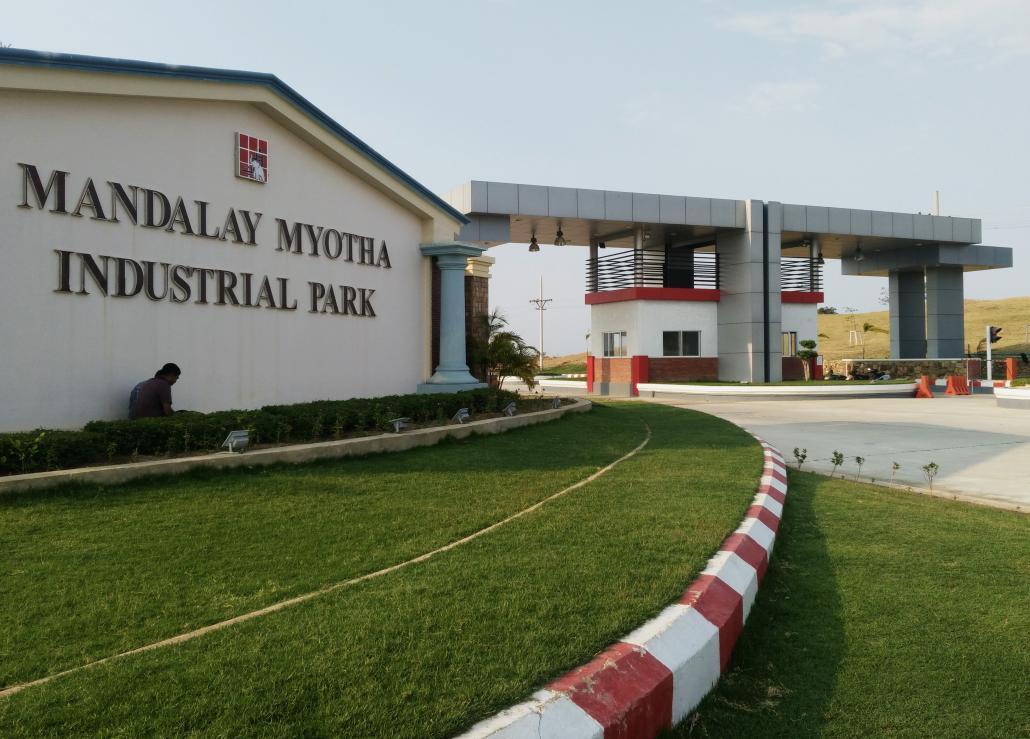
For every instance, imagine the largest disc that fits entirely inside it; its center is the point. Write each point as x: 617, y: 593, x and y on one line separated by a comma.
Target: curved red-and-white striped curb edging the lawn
x: 658, y: 675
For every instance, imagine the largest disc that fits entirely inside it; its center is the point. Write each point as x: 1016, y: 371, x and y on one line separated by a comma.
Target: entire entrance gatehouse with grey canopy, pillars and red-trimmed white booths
x: 706, y: 289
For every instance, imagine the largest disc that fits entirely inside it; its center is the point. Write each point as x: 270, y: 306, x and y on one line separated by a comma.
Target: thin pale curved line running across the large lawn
x: 188, y: 636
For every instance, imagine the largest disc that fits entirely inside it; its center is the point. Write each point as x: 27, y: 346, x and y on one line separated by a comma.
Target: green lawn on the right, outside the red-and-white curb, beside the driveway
x: 883, y: 614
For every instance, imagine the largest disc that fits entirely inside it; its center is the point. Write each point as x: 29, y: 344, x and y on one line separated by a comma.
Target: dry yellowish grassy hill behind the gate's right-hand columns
x: 1013, y: 315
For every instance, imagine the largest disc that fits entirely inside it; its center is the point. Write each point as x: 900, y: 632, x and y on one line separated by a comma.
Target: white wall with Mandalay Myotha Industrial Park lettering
x: 342, y: 318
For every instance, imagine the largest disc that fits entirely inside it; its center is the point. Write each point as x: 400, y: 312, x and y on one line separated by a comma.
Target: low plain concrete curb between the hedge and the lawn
x: 296, y: 454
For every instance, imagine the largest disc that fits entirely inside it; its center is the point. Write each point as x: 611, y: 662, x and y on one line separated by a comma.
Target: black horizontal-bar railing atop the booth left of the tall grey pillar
x: 637, y: 268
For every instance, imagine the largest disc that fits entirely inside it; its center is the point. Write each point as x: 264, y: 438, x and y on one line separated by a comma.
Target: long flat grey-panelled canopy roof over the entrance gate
x: 502, y: 213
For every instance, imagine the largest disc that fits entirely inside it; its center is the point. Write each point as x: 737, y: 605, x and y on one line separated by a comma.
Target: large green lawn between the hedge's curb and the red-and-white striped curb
x: 423, y: 652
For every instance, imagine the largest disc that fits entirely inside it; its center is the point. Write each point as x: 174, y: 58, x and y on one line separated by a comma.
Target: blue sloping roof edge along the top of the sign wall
x: 127, y: 66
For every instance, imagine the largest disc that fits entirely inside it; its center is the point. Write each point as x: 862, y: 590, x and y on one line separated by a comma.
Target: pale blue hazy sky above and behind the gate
x: 851, y: 104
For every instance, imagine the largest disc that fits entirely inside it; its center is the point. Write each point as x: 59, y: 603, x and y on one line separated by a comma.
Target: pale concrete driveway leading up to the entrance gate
x: 983, y: 451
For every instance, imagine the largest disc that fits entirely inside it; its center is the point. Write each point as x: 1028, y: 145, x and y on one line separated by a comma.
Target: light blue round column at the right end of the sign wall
x: 453, y: 374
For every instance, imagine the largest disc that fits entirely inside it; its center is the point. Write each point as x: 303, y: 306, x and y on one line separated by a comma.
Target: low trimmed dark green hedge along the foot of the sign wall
x: 102, y: 442
